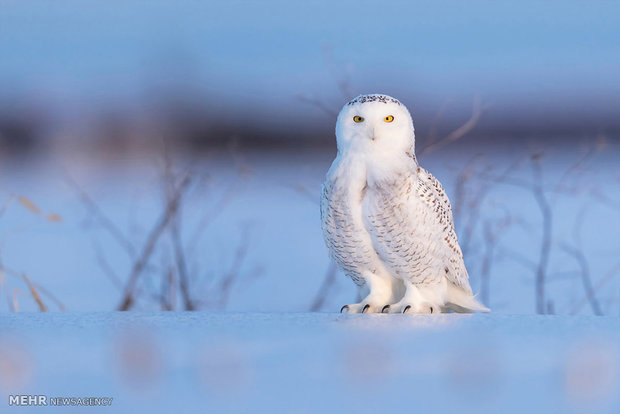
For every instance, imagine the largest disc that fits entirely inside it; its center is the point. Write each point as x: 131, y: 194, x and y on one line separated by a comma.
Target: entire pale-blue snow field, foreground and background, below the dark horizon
x: 296, y: 362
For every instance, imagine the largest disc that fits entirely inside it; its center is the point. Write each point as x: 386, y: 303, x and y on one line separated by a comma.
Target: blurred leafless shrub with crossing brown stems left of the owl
x: 165, y: 240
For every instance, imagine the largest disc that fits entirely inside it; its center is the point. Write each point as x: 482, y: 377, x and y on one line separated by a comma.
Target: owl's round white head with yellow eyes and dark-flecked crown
x: 371, y: 124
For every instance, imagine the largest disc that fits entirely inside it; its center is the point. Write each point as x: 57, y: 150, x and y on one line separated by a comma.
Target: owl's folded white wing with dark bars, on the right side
x: 413, y: 231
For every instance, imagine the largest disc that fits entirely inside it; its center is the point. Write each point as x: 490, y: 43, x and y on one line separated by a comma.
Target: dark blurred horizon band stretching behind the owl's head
x: 193, y: 123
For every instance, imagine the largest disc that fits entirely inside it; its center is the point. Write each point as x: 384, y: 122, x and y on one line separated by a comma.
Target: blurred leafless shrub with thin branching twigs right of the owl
x: 545, y: 197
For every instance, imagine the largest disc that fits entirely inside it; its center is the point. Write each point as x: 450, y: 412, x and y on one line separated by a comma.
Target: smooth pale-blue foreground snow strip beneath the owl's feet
x: 313, y: 362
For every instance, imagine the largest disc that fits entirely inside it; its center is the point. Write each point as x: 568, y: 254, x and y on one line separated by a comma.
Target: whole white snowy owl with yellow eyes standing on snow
x: 386, y: 221
